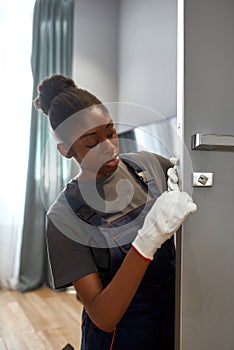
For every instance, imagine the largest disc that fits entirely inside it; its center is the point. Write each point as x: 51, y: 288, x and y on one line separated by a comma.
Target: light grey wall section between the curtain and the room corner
x: 95, y: 66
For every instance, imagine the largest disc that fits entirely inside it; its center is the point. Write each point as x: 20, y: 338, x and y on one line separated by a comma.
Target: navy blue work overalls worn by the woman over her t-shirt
x: 148, y: 323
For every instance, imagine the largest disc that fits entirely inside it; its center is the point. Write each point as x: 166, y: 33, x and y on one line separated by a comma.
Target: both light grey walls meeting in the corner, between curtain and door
x: 125, y: 50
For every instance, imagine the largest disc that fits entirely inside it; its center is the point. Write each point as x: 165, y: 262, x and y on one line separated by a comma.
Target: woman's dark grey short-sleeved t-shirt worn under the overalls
x: 71, y: 258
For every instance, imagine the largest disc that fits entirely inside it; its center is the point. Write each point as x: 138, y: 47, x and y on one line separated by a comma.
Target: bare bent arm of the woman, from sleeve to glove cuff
x: 106, y: 306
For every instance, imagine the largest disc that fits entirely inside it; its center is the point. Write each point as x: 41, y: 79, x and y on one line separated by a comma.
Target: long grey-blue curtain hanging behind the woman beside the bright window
x: 51, y: 53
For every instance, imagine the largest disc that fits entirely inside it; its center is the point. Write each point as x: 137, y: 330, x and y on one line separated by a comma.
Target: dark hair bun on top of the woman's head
x: 50, y: 88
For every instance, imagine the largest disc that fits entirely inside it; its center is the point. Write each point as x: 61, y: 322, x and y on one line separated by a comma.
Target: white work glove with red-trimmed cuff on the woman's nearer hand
x: 164, y: 218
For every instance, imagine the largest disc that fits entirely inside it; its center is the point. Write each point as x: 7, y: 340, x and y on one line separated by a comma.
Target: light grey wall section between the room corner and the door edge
x: 147, y: 54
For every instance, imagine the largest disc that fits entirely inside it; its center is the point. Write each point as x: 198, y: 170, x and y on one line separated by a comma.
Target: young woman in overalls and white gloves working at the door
x: 110, y: 231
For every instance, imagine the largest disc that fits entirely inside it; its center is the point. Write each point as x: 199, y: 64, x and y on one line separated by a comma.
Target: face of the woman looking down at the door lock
x: 97, y: 149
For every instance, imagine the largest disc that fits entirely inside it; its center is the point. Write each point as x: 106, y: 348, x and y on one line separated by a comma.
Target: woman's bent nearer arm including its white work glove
x: 106, y: 306
